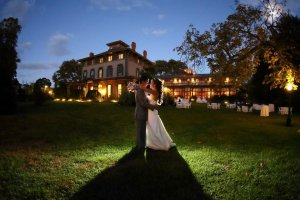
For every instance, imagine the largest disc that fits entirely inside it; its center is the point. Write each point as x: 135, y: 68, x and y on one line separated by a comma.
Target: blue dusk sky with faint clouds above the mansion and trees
x: 54, y: 31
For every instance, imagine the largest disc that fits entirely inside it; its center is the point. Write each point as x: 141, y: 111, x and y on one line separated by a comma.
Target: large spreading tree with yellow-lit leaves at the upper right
x: 234, y: 47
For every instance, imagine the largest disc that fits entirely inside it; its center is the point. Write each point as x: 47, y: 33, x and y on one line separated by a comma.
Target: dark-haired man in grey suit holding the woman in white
x: 141, y: 113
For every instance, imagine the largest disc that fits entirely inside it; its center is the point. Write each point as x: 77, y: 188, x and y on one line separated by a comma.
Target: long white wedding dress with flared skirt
x: 157, y: 137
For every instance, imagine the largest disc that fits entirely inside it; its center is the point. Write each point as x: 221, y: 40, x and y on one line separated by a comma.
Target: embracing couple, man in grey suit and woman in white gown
x: 150, y: 130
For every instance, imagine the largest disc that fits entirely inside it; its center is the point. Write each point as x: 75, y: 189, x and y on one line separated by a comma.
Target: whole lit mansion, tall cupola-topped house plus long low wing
x: 110, y: 72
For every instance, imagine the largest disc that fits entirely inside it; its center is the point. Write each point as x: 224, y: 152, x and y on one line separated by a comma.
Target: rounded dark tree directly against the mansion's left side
x: 69, y: 72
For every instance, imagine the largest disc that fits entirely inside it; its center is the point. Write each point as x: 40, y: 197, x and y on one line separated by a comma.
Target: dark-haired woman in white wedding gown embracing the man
x: 157, y: 137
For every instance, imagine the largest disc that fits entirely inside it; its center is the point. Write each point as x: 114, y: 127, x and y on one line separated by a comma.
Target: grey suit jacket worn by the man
x: 142, y: 105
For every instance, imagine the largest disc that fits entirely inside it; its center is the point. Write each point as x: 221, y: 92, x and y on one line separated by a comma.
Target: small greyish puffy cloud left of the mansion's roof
x: 58, y: 44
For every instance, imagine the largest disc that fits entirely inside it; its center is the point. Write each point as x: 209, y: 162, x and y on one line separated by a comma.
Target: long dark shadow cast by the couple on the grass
x: 161, y: 175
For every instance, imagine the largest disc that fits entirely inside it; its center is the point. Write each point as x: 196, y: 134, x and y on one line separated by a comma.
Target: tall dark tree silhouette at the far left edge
x: 9, y: 29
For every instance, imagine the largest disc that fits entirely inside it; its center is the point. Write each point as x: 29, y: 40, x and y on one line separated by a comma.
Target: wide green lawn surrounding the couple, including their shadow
x: 84, y: 151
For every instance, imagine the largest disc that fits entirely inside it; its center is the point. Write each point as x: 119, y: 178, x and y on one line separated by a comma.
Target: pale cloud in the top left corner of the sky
x: 16, y: 8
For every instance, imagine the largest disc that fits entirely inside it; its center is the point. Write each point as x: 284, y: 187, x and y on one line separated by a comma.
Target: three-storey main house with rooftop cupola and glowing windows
x: 109, y: 73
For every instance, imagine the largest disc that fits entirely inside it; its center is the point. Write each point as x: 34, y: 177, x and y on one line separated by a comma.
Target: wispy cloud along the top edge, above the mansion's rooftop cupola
x: 121, y: 5
